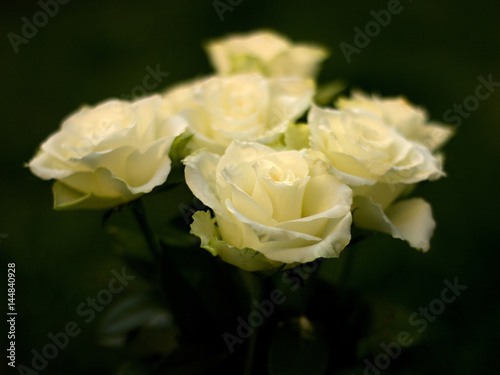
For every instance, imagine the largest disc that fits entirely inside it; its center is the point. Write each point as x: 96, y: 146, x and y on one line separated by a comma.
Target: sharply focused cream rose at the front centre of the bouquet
x: 271, y: 207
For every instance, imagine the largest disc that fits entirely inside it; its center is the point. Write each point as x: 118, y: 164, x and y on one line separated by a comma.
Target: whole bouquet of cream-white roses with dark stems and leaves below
x: 281, y: 177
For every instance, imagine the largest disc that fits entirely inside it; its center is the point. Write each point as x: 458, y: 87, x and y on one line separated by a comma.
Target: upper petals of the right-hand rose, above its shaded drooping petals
x: 381, y: 155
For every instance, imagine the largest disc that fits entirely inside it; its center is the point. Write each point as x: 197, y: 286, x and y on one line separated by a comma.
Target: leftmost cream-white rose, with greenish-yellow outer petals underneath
x: 109, y: 154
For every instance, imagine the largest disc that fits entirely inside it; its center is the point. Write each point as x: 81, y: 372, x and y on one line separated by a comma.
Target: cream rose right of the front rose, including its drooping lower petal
x: 380, y: 164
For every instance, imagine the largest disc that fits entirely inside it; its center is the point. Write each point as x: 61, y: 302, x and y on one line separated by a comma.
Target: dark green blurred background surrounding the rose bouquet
x: 431, y: 52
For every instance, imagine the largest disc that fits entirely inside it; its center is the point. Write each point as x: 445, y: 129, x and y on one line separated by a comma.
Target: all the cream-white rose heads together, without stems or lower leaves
x: 281, y: 192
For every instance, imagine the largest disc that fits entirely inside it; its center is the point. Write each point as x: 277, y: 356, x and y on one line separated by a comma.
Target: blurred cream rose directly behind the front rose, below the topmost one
x: 242, y: 107
